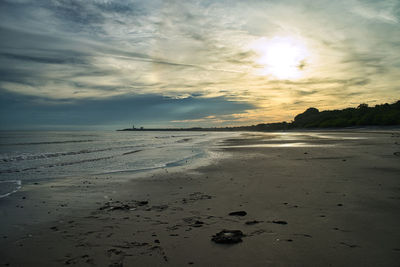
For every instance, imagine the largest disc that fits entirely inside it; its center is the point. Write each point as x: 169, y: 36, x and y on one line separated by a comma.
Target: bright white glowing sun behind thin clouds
x: 284, y: 58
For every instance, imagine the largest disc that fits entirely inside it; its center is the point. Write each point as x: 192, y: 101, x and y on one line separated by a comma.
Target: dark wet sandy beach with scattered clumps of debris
x: 302, y: 200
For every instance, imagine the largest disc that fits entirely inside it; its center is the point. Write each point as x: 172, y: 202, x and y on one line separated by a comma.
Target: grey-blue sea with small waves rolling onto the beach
x: 27, y: 157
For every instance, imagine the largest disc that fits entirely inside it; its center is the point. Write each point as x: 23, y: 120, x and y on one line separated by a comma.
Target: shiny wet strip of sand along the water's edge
x: 51, y: 200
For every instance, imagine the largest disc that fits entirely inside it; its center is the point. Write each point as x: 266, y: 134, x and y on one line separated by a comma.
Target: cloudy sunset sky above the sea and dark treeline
x: 107, y: 64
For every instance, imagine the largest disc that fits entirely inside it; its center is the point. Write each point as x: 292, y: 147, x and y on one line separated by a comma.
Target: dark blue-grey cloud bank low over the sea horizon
x: 118, y: 111
